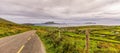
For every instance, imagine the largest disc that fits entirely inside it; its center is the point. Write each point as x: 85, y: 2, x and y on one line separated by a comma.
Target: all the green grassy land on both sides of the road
x: 103, y: 39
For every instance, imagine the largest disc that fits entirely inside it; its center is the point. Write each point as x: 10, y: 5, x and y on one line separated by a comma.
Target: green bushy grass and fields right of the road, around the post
x: 72, y: 39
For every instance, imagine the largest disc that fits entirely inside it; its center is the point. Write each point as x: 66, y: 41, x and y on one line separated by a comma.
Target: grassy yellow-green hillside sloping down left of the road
x: 8, y: 28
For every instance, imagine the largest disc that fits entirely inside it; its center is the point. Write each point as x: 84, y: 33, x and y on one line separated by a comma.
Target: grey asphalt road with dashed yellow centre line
x: 27, y: 42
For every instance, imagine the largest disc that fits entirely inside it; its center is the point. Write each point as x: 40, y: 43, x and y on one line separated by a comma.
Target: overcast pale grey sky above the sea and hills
x: 38, y: 11
